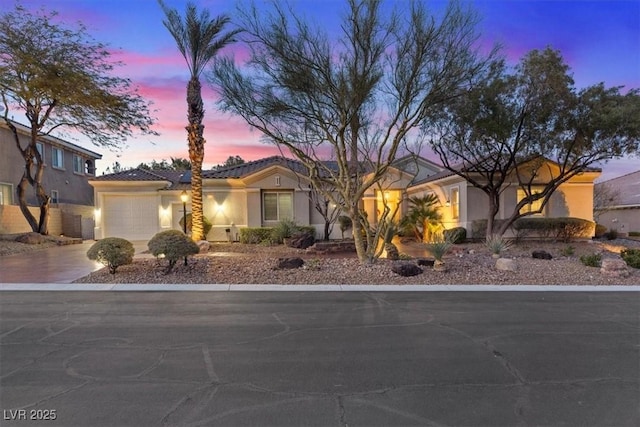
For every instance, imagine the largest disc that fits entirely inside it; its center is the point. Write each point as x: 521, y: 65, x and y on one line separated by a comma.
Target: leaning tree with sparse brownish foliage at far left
x: 61, y: 78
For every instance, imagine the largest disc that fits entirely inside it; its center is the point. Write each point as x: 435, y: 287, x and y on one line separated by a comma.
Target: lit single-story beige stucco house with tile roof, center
x: 136, y: 204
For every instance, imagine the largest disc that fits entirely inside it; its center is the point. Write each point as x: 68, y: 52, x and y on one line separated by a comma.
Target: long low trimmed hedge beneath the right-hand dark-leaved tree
x: 565, y: 228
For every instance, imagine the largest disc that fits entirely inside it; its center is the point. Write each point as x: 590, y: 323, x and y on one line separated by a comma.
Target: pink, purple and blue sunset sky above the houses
x: 600, y: 40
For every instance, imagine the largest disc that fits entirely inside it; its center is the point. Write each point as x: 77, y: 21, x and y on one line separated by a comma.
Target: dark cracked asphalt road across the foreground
x: 319, y: 359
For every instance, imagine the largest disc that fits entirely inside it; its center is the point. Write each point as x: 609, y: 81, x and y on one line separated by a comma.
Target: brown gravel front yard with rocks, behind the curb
x: 469, y: 264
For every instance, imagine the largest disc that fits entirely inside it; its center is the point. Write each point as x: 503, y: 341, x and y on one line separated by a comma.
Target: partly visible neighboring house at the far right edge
x: 623, y: 215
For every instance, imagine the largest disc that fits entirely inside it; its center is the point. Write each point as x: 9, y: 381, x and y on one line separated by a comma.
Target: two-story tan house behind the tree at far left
x: 67, y: 169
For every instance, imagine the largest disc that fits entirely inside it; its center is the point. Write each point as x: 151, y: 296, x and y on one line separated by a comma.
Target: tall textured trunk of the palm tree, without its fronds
x: 195, y: 132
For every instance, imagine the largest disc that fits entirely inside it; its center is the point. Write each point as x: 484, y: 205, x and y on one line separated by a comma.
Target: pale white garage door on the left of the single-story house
x: 130, y: 217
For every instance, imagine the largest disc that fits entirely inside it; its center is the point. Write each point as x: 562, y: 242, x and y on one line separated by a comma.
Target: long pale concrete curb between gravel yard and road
x: 123, y: 287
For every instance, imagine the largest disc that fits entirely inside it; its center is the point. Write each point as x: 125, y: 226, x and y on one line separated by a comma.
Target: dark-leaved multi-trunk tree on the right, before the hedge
x: 512, y: 126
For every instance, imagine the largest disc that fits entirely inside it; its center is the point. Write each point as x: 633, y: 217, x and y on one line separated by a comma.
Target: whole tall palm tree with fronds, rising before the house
x: 199, y: 39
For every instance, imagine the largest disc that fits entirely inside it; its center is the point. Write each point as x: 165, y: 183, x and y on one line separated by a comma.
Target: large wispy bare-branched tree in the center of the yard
x: 354, y: 100
